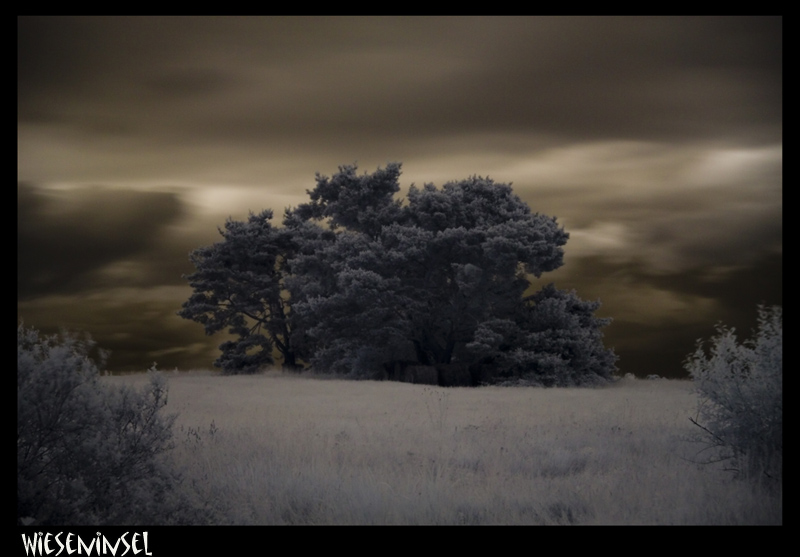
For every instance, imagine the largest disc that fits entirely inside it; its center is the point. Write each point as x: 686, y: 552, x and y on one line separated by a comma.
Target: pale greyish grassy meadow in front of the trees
x: 283, y: 449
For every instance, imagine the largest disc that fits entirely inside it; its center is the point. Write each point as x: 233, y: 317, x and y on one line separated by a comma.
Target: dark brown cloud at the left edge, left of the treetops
x: 63, y: 236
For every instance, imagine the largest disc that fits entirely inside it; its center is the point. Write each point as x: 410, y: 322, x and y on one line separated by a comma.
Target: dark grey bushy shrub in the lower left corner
x: 88, y: 453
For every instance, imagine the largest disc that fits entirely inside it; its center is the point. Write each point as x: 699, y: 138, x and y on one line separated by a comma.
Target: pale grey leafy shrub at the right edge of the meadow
x: 740, y: 409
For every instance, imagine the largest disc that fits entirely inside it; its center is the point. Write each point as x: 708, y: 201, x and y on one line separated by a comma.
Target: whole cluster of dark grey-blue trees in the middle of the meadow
x: 361, y: 283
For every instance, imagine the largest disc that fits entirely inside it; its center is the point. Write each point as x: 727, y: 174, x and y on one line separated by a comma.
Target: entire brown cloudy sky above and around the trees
x: 657, y: 142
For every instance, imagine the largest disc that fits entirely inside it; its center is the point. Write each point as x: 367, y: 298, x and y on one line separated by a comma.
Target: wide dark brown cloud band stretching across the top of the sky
x: 319, y: 80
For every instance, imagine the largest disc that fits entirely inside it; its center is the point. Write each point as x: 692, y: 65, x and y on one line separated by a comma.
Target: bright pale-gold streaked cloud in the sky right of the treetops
x: 673, y: 206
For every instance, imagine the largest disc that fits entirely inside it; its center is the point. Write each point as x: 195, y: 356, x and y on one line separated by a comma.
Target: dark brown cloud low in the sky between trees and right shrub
x: 658, y: 317
